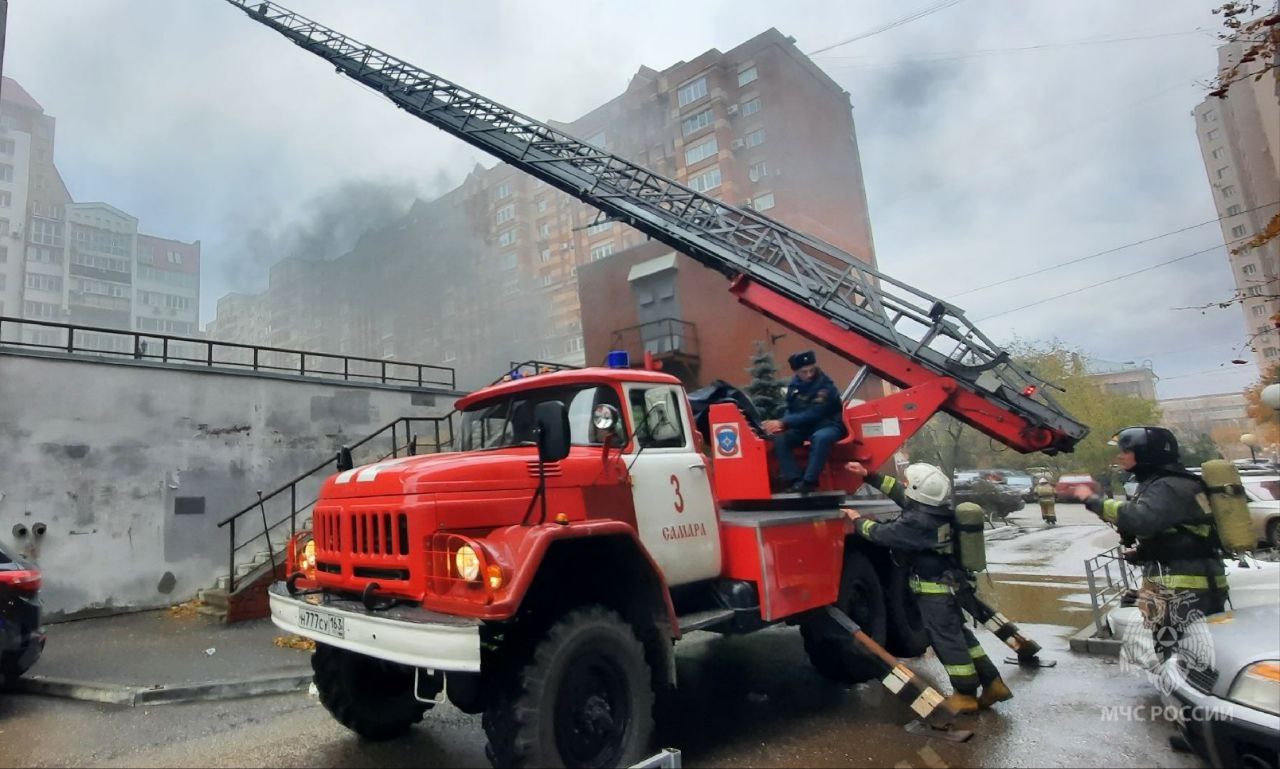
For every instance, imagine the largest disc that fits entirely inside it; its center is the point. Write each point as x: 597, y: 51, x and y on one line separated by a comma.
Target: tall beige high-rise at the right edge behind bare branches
x: 1240, y: 139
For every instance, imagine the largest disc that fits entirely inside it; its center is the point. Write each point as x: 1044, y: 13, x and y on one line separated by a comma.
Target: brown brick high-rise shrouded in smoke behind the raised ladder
x: 758, y: 126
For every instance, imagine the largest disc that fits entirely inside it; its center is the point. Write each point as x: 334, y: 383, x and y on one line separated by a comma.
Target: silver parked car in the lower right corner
x: 1231, y: 712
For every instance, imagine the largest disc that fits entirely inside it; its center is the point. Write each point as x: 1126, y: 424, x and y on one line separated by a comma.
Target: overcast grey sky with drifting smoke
x: 981, y: 162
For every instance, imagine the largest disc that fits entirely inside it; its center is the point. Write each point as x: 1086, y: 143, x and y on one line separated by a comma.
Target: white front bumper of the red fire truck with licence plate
x: 405, y: 635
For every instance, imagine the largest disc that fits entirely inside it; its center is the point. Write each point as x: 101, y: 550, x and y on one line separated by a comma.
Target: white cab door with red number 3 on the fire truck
x: 671, y: 486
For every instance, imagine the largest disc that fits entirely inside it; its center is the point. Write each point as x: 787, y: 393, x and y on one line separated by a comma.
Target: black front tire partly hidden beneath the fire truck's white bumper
x: 369, y: 697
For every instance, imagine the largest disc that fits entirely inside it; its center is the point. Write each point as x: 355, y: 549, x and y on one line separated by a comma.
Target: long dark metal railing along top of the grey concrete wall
x: 147, y: 346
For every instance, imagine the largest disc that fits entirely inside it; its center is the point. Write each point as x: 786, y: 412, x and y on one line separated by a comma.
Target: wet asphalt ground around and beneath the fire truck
x: 744, y: 702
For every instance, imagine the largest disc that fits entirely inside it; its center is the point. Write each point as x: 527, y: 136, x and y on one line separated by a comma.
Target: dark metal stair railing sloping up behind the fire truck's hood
x: 406, y: 441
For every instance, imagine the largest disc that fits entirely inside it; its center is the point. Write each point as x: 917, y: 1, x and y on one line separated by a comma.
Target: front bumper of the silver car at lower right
x: 1222, y: 727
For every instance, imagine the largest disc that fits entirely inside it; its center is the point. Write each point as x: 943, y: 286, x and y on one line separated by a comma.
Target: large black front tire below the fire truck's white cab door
x: 584, y: 699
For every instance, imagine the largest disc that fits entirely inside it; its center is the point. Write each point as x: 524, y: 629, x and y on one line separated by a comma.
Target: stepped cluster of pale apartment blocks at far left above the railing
x: 81, y: 264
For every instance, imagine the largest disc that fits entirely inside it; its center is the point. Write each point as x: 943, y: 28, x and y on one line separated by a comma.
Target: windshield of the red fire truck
x: 510, y: 422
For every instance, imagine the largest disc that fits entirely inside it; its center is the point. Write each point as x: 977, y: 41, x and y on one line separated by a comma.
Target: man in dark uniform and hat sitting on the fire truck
x: 815, y: 415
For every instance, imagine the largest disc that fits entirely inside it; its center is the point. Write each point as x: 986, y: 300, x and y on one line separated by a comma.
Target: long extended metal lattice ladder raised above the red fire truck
x: 895, y: 331
